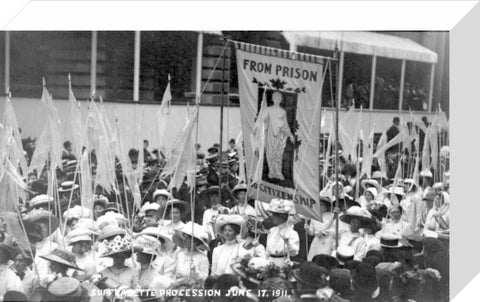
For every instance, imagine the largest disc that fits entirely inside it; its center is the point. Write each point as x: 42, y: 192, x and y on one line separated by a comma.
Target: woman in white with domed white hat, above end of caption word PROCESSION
x: 191, y: 262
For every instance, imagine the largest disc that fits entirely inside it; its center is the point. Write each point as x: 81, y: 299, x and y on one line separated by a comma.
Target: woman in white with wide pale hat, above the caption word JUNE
x: 231, y: 250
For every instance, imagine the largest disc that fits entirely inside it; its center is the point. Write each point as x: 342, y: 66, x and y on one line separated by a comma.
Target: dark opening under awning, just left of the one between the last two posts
x: 387, y: 83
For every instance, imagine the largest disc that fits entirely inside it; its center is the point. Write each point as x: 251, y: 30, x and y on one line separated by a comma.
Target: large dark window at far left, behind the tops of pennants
x: 52, y: 55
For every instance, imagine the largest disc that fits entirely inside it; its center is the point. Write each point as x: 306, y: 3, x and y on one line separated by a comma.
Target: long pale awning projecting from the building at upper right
x: 365, y: 43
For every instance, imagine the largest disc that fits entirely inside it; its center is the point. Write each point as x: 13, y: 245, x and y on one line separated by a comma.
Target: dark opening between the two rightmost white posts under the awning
x: 417, y: 85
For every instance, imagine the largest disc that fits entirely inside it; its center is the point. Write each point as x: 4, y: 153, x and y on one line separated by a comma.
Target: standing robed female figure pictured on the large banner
x: 277, y: 133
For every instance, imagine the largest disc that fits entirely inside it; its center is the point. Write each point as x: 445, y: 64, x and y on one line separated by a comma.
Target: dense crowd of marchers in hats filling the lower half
x: 391, y: 244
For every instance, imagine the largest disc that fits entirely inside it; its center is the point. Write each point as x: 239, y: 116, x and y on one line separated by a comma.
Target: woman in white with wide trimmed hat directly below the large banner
x: 282, y: 240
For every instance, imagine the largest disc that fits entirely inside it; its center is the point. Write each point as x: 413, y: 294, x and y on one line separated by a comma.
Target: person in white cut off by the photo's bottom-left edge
x: 8, y: 279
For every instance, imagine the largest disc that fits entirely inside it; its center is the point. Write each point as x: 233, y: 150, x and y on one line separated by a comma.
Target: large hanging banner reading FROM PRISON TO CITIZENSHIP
x: 292, y: 85
